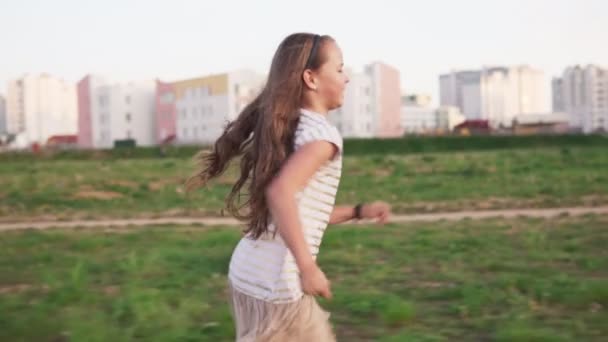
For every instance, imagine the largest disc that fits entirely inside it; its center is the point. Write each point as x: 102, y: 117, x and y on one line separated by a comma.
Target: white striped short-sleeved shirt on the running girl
x: 265, y: 268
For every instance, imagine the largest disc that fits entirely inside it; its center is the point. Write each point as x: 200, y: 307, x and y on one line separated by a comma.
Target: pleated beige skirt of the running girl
x: 260, y: 321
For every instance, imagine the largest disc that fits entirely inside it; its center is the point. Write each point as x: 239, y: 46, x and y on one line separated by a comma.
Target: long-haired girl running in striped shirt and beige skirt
x: 291, y: 161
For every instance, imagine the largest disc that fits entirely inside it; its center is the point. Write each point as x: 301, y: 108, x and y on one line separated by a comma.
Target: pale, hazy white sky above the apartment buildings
x: 171, y: 40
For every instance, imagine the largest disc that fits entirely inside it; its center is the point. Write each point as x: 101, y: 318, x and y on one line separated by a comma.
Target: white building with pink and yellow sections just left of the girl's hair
x: 195, y: 111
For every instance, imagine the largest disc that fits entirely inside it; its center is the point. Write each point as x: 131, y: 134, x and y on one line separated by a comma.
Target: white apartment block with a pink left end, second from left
x: 110, y: 112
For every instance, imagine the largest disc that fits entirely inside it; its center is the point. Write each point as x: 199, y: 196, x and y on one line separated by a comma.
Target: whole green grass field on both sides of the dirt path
x: 489, y: 280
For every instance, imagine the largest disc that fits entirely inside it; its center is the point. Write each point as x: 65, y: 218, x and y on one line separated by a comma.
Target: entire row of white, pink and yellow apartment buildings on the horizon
x: 194, y: 110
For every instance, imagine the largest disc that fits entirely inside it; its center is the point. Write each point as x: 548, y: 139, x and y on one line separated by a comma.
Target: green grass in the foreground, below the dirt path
x: 490, y: 280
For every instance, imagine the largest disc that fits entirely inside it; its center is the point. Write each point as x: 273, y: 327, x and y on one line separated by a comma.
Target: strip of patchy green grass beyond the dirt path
x: 545, y: 177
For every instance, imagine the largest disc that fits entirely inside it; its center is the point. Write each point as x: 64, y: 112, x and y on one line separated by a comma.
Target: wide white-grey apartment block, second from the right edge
x: 495, y: 94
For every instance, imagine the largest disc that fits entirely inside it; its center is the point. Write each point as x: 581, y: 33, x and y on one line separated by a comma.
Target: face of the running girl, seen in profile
x: 330, y: 77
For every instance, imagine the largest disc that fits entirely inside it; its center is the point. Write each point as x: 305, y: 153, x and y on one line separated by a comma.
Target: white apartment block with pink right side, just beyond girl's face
x: 371, y: 105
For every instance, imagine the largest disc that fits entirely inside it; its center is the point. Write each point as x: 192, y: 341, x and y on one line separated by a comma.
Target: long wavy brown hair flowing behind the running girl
x: 264, y: 131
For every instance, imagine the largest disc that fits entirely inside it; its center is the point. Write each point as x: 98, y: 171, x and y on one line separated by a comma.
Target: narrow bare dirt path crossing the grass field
x: 214, y: 221
